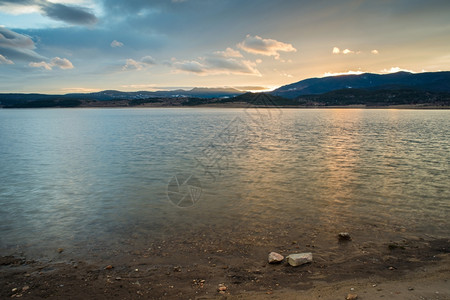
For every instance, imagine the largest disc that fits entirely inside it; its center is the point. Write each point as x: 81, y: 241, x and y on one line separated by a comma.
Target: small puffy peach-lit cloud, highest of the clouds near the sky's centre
x: 267, y: 47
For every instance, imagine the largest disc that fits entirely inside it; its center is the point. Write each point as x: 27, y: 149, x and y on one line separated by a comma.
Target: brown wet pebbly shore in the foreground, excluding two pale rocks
x: 417, y: 268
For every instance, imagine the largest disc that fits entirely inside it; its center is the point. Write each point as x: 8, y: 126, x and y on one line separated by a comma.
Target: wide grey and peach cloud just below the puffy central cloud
x: 219, y: 62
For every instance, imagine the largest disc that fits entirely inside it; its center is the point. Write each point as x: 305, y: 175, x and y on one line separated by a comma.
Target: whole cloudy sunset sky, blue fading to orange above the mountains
x: 65, y: 46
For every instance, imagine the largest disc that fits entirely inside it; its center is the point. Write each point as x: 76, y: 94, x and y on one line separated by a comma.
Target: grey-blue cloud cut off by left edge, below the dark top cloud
x: 17, y: 46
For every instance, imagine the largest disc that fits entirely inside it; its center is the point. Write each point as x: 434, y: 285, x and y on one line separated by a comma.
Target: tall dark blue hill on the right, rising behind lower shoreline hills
x: 432, y: 82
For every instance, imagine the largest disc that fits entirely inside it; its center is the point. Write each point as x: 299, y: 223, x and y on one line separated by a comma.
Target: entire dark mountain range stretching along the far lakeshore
x: 364, y: 89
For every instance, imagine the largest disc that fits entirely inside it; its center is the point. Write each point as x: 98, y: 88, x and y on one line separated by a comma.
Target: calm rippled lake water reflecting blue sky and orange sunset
x: 102, y: 180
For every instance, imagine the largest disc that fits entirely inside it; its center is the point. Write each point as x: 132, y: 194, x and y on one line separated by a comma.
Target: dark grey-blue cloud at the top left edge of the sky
x: 75, y: 15
